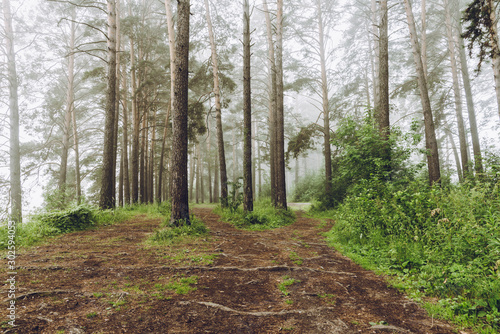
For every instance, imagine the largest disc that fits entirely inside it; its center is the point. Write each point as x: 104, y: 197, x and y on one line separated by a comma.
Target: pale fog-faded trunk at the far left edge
x: 14, y: 152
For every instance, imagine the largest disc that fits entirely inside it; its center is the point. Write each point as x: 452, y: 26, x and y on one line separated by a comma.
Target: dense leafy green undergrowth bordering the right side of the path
x: 444, y: 242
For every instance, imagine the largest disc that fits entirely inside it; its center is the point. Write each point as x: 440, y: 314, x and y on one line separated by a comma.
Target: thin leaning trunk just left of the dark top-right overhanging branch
x: 476, y: 147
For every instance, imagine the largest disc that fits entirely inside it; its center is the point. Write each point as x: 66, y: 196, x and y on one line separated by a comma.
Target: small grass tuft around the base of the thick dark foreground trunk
x: 171, y: 234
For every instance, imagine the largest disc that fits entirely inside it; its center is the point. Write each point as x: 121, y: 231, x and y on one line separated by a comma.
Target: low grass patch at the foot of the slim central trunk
x: 264, y: 216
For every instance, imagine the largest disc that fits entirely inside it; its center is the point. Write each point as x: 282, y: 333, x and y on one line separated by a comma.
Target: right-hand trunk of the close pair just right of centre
x: 280, y: 133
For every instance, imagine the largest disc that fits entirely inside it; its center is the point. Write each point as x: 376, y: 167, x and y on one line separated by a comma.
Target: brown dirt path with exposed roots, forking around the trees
x: 108, y: 281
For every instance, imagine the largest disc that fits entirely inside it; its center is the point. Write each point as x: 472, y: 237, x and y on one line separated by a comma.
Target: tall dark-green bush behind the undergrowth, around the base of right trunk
x: 364, y: 155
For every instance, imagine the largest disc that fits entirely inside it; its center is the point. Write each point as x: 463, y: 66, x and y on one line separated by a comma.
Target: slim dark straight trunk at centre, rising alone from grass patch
x: 247, y: 113
